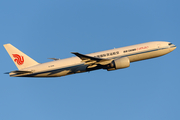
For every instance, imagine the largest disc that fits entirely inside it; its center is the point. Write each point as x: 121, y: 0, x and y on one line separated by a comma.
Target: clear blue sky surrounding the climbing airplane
x: 147, y: 90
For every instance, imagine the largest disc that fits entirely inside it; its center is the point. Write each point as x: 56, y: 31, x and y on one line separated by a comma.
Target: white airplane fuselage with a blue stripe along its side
x: 76, y: 65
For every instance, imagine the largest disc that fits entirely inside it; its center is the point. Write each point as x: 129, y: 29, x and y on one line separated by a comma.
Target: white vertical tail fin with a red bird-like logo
x: 20, y: 59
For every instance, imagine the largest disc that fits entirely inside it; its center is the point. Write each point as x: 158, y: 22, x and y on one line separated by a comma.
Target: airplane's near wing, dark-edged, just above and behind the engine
x: 92, y: 61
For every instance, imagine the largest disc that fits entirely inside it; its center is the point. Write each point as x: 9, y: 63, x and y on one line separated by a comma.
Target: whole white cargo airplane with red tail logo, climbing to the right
x: 109, y: 60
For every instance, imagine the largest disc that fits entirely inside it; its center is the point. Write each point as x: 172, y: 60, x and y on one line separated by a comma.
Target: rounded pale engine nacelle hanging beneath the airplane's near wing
x: 120, y: 63
